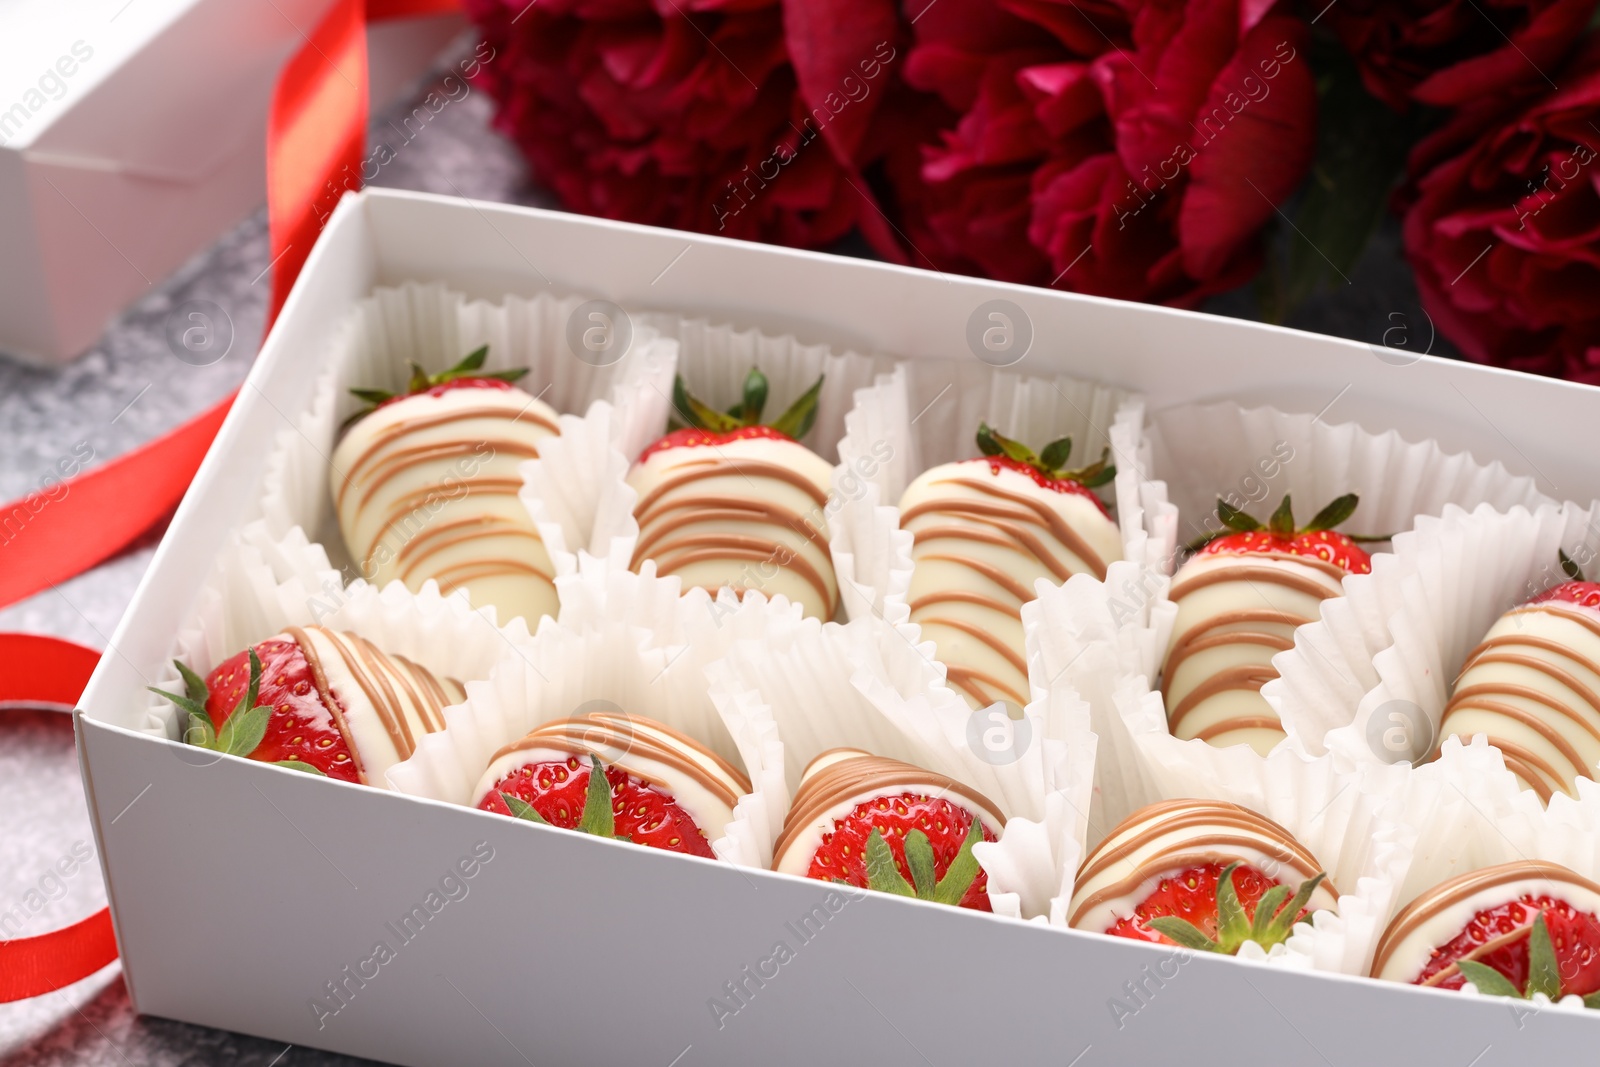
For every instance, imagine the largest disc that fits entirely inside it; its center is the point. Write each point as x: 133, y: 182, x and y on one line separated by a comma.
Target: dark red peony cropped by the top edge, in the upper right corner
x: 1454, y: 52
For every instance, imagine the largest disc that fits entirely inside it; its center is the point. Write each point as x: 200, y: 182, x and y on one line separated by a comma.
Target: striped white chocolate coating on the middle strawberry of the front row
x: 839, y: 780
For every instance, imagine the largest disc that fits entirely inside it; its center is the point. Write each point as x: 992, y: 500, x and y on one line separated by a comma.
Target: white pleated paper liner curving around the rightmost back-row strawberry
x: 1399, y: 637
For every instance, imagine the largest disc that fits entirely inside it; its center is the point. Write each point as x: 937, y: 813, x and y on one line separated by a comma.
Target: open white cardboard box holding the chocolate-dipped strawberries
x: 241, y: 892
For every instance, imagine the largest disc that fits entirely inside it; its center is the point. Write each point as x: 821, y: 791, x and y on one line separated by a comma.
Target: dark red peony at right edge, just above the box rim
x: 1505, y: 238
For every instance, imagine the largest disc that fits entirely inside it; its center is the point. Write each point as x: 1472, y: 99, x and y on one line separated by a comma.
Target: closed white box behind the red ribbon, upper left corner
x: 132, y: 135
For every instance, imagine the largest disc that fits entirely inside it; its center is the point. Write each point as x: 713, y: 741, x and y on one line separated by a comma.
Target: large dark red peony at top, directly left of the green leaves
x: 1127, y: 150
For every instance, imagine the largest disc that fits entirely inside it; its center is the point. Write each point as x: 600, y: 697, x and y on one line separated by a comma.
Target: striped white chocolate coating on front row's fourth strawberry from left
x: 1169, y: 837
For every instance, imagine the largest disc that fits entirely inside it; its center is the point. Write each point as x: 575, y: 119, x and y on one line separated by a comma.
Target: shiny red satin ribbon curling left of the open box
x: 316, y: 135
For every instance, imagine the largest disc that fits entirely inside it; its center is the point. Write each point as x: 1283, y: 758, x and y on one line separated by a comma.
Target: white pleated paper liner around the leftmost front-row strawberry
x: 260, y: 586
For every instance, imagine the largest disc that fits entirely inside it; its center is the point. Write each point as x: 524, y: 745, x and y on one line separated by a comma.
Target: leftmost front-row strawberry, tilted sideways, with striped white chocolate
x: 316, y: 700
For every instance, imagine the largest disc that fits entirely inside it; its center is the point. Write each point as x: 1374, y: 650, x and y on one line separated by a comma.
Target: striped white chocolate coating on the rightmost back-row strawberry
x: 1534, y: 687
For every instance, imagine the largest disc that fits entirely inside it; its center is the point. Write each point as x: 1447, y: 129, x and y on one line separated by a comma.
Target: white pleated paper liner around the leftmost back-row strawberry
x: 436, y: 327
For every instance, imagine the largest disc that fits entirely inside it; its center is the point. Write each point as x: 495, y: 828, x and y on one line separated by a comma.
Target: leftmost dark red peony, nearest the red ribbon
x: 751, y: 119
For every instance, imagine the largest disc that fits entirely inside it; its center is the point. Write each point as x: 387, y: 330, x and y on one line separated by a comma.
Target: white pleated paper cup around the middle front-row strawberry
x: 865, y: 687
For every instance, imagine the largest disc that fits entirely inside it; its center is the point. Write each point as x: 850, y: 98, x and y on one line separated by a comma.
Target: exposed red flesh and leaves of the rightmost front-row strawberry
x: 1521, y: 948
